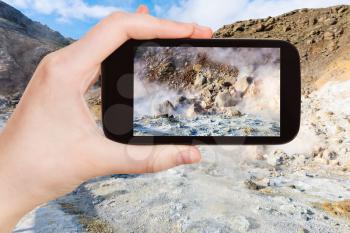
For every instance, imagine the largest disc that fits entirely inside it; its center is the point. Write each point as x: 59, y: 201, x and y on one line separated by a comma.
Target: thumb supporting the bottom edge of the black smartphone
x: 114, y: 158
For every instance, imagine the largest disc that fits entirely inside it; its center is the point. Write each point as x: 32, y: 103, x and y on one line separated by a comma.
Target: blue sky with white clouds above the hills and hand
x: 73, y: 18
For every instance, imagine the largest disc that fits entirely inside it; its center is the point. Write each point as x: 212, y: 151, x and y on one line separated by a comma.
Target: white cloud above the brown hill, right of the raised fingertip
x: 219, y: 12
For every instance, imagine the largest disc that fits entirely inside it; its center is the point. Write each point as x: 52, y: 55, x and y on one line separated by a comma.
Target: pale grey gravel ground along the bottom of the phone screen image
x: 206, y: 125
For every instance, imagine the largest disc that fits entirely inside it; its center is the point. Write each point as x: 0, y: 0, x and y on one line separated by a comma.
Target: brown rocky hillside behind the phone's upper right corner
x: 321, y: 36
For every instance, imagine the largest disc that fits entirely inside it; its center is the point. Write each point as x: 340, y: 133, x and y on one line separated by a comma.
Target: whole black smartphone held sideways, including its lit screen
x: 202, y: 91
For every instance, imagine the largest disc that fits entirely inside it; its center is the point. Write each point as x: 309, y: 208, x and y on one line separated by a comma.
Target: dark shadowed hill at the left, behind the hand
x: 23, y: 43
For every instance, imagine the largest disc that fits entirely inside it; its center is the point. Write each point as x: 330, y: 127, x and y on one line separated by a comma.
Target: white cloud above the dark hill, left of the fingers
x: 65, y: 9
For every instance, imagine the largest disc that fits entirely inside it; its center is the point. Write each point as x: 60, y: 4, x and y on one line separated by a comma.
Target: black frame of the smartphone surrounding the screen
x: 118, y: 121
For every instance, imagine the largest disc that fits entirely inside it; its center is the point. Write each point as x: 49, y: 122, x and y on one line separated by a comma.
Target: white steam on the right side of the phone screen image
x: 263, y: 64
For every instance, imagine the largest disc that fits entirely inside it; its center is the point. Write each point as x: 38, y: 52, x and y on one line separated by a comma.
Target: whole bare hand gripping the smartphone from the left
x: 51, y: 143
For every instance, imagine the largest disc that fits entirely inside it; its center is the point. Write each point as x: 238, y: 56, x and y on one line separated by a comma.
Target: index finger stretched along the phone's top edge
x: 114, y: 30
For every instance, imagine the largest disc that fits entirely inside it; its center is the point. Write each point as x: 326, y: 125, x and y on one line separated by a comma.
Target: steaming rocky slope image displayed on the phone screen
x: 206, y: 91
